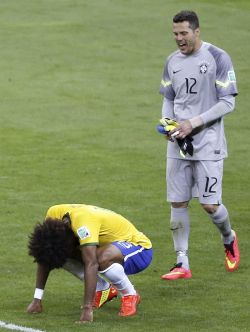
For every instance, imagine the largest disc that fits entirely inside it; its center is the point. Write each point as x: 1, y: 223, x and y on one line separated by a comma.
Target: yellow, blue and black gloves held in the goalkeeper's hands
x: 166, y: 126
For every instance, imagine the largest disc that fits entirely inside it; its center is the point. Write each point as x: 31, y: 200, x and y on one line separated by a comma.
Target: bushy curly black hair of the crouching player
x: 51, y: 243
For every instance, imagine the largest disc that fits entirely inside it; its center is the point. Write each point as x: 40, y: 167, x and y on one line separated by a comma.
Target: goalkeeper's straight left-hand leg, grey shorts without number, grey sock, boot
x: 179, y: 192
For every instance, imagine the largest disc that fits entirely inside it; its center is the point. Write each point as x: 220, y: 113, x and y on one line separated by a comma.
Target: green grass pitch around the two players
x: 79, y: 105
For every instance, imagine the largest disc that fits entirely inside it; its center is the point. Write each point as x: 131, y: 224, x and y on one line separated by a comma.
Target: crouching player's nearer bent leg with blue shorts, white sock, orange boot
x: 116, y: 262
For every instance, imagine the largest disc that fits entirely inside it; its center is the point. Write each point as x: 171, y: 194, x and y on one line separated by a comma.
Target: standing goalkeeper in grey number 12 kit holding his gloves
x: 199, y: 89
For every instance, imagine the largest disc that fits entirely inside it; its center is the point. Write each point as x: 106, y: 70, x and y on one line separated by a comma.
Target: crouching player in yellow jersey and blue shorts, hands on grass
x: 91, y: 243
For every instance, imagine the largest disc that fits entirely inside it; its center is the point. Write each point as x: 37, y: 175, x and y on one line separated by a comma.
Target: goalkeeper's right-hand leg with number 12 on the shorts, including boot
x: 210, y: 187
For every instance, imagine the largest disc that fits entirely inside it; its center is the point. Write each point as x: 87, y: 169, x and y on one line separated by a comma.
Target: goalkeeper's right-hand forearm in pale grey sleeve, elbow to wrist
x: 223, y: 107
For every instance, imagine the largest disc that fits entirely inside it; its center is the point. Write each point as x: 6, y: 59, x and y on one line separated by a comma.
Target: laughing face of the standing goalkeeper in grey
x: 187, y: 39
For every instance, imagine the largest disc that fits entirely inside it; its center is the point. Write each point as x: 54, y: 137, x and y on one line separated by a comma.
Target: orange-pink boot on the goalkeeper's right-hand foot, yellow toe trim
x: 232, y: 255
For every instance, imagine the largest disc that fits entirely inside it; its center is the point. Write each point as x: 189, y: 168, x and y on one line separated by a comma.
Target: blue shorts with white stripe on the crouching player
x: 136, y: 258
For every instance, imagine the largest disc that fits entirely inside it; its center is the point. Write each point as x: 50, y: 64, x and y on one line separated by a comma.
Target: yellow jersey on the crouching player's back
x: 97, y: 226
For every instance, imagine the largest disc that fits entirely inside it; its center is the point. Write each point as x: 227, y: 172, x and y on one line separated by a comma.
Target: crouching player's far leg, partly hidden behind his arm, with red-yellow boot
x: 104, y: 290
